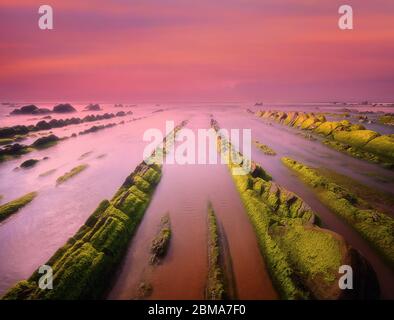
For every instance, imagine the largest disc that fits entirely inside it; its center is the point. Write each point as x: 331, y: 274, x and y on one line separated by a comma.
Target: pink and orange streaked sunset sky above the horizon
x: 189, y: 50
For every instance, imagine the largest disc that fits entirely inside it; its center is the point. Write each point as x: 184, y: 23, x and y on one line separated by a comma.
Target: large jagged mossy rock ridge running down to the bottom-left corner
x: 83, y: 267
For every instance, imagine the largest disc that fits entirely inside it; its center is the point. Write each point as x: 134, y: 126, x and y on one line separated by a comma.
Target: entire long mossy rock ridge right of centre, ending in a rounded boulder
x: 302, y: 258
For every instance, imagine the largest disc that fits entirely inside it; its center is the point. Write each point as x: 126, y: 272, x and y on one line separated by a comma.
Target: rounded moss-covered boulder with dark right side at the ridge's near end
x: 303, y: 245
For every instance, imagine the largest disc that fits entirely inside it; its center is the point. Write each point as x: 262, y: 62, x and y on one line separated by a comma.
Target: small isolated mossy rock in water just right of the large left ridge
x: 161, y: 242
